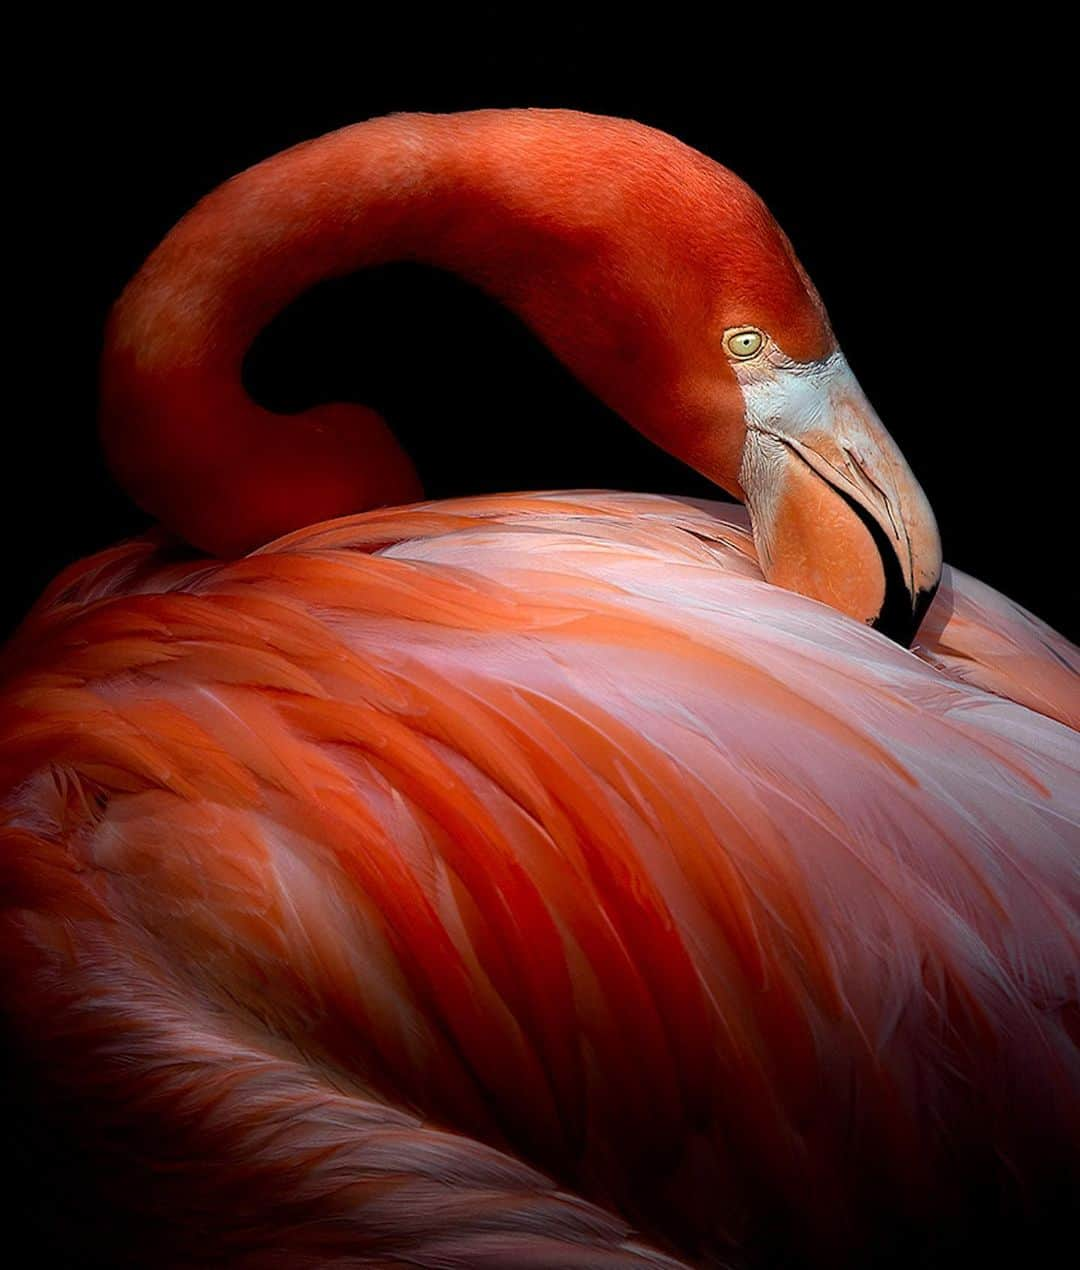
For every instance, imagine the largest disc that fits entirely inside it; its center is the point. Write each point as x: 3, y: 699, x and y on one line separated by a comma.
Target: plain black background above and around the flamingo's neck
x: 918, y: 173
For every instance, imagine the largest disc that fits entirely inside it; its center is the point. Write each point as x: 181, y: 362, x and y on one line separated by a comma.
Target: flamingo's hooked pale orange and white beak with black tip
x: 838, y: 515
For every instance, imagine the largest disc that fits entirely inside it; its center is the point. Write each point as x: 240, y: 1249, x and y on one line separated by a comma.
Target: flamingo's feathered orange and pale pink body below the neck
x: 434, y: 885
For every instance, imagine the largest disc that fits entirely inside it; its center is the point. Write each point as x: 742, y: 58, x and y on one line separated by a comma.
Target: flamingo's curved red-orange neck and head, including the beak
x: 656, y: 275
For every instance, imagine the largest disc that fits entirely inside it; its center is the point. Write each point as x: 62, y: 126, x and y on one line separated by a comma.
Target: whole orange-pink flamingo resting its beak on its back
x: 550, y: 879
